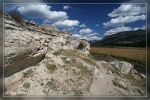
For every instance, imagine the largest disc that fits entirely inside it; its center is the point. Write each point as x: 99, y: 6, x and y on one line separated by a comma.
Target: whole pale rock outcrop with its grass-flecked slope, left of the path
x: 37, y: 57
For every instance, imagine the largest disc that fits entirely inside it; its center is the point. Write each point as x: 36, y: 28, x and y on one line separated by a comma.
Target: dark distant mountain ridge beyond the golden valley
x: 127, y: 38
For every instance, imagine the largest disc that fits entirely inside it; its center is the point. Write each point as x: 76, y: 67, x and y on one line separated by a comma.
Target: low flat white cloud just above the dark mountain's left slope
x: 118, y: 29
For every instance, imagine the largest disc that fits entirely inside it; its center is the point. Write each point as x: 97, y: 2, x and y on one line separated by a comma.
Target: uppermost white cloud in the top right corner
x: 128, y: 10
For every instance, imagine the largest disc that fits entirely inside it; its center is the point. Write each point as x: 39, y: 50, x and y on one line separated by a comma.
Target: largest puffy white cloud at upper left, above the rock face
x: 42, y: 10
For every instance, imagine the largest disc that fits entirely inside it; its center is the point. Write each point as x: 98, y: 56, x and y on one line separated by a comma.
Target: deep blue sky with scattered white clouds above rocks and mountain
x: 86, y: 21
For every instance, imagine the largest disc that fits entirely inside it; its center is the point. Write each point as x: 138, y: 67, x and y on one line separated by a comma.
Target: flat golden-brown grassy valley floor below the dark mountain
x: 134, y: 55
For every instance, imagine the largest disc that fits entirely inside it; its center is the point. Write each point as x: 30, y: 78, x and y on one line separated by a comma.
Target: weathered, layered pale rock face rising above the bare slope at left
x: 27, y: 44
